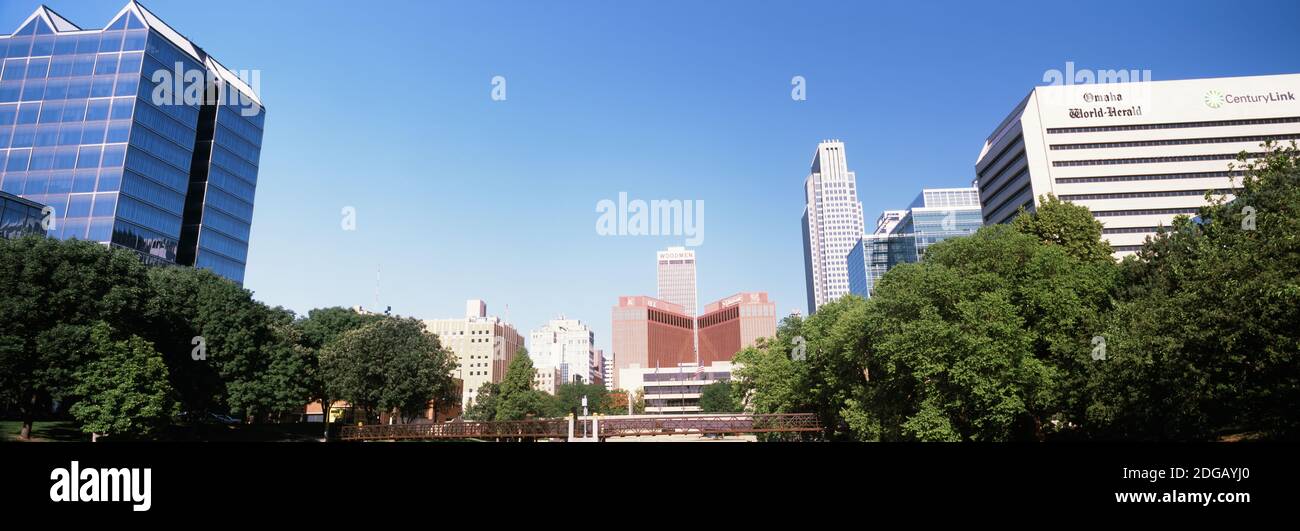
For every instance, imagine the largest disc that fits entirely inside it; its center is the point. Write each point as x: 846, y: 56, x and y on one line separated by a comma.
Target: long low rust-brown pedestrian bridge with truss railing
x: 590, y: 429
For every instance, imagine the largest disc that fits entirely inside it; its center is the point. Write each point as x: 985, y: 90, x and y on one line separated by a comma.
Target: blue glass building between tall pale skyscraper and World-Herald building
x: 935, y: 215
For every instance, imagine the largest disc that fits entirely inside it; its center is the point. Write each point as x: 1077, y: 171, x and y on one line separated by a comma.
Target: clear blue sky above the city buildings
x: 385, y: 107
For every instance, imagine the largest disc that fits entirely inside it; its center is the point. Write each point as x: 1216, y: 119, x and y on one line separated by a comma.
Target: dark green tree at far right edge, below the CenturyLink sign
x: 1206, y: 340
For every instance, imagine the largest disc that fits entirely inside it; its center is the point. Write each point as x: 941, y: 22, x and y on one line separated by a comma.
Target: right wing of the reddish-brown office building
x: 734, y: 323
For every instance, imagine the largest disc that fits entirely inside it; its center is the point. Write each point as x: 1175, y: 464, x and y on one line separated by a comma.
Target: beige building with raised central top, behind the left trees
x: 484, y: 347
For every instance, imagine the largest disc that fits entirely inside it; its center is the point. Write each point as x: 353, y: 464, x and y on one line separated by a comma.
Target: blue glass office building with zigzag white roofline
x: 135, y: 136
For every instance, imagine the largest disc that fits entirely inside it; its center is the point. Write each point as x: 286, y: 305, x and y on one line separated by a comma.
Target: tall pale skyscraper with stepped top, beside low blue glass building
x: 833, y: 223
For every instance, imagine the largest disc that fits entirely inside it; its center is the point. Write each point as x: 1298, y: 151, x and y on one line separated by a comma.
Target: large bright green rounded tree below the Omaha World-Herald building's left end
x: 989, y: 339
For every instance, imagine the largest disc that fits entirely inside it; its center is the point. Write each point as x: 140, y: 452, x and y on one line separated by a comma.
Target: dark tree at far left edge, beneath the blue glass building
x: 51, y: 293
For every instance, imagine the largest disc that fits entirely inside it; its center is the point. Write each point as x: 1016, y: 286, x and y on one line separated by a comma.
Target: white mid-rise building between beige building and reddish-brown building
x: 566, y: 346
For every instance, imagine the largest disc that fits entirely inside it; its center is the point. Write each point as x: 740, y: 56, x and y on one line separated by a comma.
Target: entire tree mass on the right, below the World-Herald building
x: 1032, y: 331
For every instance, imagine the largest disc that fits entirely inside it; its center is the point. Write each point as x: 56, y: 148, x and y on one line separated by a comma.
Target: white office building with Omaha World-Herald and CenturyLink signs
x: 1136, y: 154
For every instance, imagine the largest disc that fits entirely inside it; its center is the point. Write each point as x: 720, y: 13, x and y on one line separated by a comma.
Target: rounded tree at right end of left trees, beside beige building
x: 391, y: 365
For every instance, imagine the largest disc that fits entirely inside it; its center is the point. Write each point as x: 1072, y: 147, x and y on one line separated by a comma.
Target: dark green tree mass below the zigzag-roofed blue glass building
x: 189, y: 344
